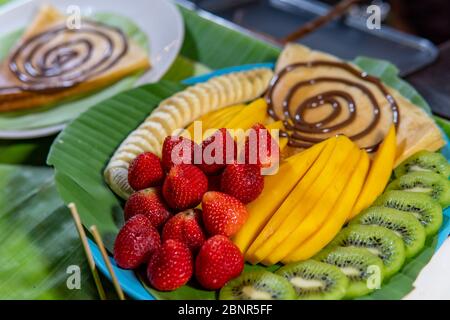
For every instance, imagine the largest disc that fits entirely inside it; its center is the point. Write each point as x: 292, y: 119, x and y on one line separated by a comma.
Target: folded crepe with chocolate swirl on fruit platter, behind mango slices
x: 416, y: 130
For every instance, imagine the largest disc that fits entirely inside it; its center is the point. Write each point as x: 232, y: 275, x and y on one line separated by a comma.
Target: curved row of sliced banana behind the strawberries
x: 177, y: 112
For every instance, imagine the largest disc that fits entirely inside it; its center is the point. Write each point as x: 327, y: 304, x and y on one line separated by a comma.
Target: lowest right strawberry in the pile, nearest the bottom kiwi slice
x: 218, y: 261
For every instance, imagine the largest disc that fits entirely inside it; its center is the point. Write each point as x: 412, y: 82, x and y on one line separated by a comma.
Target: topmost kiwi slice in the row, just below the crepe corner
x: 424, y: 161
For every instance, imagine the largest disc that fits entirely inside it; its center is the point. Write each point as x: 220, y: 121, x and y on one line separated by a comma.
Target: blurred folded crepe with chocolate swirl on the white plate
x: 53, y: 62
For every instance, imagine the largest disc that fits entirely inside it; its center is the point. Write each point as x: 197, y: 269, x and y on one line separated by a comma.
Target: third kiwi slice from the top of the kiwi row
x: 422, y: 206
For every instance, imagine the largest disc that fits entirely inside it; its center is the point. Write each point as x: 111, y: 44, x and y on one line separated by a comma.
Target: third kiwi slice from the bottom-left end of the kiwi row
x: 358, y: 265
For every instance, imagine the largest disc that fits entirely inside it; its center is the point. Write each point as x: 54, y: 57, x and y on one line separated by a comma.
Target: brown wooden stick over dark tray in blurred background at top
x: 338, y: 10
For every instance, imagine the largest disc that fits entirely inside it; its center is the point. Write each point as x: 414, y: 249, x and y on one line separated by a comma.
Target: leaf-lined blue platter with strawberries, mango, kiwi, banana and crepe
x: 304, y: 178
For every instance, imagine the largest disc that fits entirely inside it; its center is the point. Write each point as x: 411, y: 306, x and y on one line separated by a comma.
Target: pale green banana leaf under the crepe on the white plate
x: 63, y: 112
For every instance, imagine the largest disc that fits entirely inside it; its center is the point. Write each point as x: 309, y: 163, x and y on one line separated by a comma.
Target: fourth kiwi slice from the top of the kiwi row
x: 403, y: 224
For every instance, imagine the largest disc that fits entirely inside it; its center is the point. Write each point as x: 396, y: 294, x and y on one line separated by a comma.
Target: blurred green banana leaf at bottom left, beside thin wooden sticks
x: 39, y: 241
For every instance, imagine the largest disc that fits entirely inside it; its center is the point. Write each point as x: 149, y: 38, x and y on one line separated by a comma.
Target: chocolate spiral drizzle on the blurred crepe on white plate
x: 43, y: 66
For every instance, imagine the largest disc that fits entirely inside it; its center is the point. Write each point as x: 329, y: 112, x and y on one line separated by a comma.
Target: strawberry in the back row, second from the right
x: 217, y: 150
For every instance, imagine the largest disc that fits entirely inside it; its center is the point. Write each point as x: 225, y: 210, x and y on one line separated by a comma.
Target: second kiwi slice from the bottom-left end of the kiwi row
x: 314, y: 280
